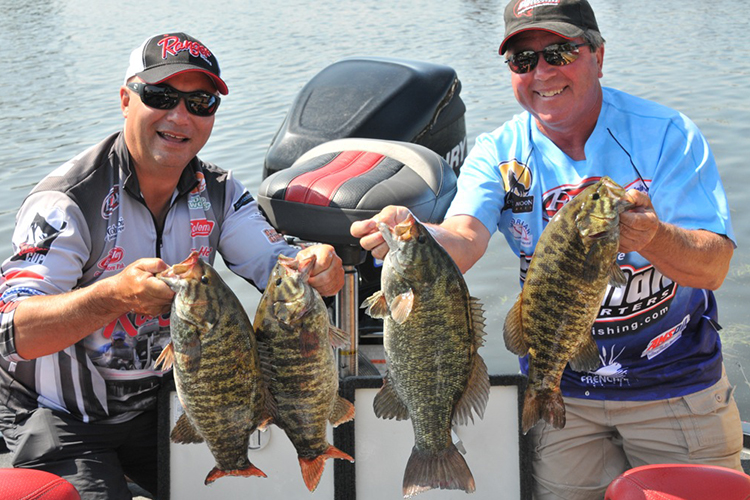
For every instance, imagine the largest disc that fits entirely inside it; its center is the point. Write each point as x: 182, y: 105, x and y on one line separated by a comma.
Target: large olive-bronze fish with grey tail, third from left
x: 435, y: 376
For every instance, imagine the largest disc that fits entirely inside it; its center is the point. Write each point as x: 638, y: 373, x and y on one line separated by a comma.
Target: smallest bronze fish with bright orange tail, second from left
x: 296, y: 343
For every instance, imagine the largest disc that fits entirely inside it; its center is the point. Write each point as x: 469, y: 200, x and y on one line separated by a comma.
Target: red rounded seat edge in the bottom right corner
x: 679, y: 482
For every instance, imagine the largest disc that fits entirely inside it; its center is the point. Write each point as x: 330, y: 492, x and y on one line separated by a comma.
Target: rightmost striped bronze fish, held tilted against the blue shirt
x: 573, y: 262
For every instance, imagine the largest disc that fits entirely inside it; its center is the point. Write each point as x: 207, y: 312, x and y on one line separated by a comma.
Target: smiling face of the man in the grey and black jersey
x: 166, y: 139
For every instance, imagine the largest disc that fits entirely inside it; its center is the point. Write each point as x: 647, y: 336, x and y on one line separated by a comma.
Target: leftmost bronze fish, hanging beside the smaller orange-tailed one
x: 216, y: 367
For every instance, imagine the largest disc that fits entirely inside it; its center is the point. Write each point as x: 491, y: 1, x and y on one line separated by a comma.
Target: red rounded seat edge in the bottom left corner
x: 31, y: 484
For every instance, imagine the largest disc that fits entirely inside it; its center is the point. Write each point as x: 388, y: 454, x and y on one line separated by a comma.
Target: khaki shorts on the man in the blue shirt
x: 602, y: 439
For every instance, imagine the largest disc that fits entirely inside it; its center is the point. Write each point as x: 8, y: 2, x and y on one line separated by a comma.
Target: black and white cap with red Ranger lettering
x: 166, y: 55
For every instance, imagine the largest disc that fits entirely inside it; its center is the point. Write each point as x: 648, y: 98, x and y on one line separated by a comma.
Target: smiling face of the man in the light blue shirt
x: 559, y: 97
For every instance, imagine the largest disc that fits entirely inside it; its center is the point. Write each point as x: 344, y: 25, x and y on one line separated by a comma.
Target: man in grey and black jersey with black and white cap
x: 88, y: 241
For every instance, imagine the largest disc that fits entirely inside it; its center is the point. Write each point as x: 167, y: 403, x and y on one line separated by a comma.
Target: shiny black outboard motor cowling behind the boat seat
x: 377, y: 98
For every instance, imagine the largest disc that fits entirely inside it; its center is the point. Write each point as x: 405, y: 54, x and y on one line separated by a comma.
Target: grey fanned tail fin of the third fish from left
x: 446, y: 469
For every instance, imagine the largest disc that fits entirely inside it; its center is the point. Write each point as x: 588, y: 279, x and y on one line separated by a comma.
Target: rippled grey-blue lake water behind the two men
x: 64, y: 61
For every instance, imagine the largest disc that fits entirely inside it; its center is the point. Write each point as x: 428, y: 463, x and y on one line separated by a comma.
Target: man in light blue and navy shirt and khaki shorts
x: 660, y: 394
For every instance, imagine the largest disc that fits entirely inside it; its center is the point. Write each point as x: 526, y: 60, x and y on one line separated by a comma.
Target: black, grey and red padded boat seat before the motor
x: 341, y: 181
